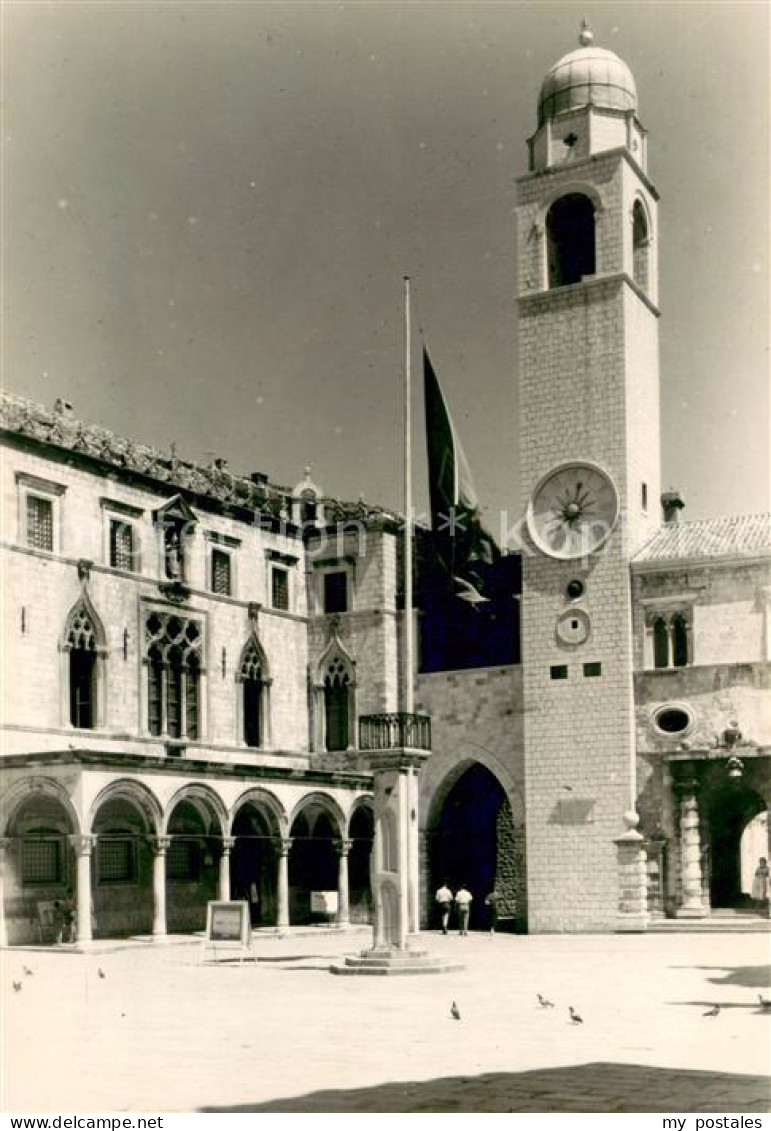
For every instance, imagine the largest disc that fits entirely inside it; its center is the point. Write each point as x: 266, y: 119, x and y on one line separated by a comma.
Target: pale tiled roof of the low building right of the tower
x: 734, y: 537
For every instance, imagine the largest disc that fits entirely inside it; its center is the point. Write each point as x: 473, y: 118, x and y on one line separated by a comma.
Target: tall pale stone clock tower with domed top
x: 590, y: 408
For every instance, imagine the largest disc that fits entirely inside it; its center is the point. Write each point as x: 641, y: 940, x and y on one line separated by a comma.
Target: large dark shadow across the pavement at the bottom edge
x: 600, y: 1087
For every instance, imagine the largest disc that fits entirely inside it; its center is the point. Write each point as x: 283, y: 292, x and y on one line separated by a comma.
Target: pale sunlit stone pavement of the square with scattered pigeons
x: 162, y: 1032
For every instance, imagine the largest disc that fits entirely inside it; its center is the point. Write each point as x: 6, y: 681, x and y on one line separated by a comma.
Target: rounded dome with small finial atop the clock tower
x: 590, y: 76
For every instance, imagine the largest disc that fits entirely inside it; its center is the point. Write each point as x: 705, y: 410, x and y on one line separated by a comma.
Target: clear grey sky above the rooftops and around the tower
x: 209, y: 211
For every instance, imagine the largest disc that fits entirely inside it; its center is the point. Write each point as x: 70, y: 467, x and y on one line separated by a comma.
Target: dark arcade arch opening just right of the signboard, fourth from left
x: 255, y: 862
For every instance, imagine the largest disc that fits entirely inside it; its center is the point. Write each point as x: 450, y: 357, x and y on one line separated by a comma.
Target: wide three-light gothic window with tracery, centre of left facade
x: 174, y: 647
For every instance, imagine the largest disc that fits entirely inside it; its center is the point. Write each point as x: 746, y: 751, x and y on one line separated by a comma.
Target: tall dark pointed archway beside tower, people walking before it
x: 473, y: 843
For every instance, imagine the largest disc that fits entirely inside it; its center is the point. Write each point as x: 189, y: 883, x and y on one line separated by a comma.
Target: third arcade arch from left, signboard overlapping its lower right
x: 193, y: 865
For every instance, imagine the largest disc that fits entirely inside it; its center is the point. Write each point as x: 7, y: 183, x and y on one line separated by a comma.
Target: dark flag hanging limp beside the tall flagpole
x: 460, y: 537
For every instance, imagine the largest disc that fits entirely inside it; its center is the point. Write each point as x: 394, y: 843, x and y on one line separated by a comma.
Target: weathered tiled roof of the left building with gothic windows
x: 28, y: 419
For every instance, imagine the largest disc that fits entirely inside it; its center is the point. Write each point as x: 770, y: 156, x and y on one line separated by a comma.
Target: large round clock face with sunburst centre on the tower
x: 574, y: 511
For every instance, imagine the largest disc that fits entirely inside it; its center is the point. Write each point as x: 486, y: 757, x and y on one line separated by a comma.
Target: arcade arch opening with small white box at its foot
x: 314, y: 859
